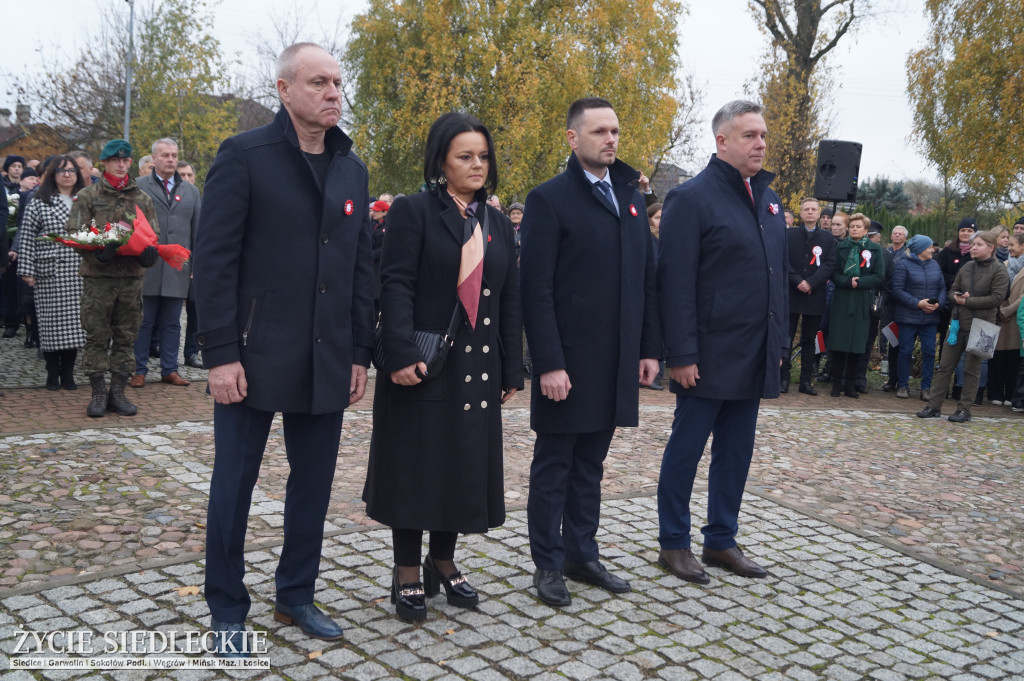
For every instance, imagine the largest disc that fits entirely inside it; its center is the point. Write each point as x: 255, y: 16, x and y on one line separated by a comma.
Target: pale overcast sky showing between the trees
x: 720, y: 45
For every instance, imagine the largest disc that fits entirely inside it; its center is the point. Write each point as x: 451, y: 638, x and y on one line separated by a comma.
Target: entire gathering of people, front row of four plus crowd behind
x: 444, y: 291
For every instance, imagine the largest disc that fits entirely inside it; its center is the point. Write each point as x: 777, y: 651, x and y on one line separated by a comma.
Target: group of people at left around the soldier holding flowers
x: 119, y: 310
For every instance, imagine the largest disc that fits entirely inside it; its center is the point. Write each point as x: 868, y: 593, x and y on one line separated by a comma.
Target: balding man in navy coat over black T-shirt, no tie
x: 283, y: 276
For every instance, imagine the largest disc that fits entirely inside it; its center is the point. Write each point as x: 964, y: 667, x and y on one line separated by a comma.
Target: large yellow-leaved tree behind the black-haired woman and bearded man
x: 517, y: 65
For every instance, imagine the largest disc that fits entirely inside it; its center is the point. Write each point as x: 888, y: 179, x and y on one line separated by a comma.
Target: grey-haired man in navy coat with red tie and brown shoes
x: 723, y: 299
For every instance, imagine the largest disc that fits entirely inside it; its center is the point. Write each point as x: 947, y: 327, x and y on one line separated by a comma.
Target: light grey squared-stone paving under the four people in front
x: 836, y: 607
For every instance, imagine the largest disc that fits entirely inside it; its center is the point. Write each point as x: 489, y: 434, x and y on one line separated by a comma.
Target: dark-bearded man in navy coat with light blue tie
x: 591, y: 319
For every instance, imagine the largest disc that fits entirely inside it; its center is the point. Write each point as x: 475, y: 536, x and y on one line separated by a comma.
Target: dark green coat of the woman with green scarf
x: 850, y: 314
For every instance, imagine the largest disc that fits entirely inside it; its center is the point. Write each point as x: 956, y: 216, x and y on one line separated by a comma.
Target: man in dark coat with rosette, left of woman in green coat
x: 813, y: 257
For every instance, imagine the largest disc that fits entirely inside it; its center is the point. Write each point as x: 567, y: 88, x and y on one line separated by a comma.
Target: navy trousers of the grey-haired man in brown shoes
x: 733, y: 422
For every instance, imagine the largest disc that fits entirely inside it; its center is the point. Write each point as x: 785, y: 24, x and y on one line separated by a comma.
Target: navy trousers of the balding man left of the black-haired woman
x: 240, y: 437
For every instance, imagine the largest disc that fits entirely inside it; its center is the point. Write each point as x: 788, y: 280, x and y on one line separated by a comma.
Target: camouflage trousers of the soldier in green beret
x: 112, y: 314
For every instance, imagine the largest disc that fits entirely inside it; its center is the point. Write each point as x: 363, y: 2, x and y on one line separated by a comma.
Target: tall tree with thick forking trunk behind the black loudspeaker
x: 794, y: 81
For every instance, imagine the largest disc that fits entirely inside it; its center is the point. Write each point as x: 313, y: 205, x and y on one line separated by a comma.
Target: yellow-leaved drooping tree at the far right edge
x: 967, y: 88
